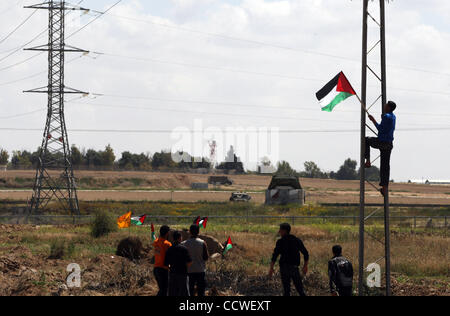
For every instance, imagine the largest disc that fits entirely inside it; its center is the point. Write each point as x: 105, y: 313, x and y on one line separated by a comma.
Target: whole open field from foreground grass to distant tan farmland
x: 420, y: 256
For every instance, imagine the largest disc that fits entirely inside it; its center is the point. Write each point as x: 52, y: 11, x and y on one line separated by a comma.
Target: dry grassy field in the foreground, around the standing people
x: 420, y: 257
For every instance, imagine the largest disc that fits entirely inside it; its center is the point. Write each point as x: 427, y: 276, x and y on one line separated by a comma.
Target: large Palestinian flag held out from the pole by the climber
x: 334, y: 92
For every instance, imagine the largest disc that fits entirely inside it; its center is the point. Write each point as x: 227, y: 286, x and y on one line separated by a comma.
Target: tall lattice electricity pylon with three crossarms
x: 54, y: 175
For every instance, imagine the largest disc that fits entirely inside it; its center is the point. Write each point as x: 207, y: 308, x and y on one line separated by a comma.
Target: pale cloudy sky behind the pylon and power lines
x: 176, y: 65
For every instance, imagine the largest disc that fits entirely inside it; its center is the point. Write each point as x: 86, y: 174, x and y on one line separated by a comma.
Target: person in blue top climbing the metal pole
x: 384, y: 142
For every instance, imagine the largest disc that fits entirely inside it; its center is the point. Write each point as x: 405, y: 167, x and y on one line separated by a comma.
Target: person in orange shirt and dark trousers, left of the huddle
x: 161, y: 271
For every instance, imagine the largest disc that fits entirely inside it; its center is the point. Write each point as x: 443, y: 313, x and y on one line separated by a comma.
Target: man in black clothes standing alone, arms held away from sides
x: 289, y: 248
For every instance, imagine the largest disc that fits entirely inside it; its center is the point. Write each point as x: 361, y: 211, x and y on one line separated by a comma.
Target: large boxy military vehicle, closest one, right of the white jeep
x: 285, y: 190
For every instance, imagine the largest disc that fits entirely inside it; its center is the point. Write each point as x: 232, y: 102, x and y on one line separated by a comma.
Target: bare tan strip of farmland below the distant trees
x: 176, y: 187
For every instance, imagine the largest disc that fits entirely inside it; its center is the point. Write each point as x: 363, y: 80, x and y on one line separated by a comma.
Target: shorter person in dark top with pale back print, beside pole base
x: 340, y: 271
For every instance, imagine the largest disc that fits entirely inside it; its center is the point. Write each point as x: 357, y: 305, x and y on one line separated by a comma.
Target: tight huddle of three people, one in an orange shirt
x: 180, y: 268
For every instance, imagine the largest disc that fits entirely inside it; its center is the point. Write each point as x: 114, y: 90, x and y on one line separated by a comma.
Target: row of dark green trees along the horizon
x: 106, y: 159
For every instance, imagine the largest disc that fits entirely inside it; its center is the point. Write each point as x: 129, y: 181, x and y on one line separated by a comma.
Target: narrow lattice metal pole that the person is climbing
x: 383, y: 97
